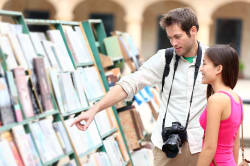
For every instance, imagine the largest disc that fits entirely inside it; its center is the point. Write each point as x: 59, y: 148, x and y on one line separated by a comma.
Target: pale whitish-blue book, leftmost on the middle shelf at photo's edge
x: 6, y: 111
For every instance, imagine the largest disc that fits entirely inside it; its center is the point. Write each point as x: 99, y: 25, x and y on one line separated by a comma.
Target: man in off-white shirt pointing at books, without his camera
x: 181, y: 26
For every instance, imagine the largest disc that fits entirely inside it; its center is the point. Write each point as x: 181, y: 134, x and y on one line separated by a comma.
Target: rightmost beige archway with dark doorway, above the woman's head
x: 233, y: 20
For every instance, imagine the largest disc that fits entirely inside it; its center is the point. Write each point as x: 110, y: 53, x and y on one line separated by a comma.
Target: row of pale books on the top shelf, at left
x: 21, y: 48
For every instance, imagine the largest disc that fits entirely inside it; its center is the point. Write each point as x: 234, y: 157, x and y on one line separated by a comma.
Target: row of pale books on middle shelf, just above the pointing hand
x: 74, y: 90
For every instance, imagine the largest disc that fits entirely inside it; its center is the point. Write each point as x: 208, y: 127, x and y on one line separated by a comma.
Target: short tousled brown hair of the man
x: 185, y: 17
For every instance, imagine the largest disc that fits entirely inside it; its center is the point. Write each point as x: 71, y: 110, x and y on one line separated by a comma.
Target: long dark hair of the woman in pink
x: 227, y: 57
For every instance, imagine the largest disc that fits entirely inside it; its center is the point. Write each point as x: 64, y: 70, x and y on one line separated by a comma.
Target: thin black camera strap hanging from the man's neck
x: 197, y: 66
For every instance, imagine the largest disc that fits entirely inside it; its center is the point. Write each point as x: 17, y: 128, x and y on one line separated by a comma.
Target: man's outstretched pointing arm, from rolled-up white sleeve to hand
x: 150, y: 73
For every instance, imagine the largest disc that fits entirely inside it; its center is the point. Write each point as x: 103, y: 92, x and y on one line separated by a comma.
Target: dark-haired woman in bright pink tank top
x: 222, y: 117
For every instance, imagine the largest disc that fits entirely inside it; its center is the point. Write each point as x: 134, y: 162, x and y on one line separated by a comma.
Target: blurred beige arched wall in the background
x: 139, y: 17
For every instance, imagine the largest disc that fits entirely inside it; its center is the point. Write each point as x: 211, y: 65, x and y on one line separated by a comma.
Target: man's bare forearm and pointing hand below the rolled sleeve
x: 114, y: 95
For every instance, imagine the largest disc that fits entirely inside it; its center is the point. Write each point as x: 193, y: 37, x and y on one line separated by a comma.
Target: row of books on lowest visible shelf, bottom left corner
x: 19, y: 147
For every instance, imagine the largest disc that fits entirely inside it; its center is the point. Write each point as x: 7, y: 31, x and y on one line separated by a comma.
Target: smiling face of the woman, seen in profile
x: 209, y: 71
